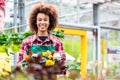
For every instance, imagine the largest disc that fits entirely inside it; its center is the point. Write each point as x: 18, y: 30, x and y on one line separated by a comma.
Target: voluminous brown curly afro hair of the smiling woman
x: 47, y: 9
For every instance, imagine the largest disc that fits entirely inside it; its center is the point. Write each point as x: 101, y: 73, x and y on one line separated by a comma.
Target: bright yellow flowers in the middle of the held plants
x: 48, y: 55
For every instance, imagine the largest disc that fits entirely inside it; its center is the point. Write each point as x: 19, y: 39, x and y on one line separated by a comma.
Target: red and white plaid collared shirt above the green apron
x: 34, y: 39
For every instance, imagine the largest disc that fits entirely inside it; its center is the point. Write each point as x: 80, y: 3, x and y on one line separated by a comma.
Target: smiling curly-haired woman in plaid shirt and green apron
x: 43, y: 19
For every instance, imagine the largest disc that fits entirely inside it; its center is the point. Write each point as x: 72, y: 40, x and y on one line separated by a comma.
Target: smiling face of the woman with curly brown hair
x: 42, y: 22
